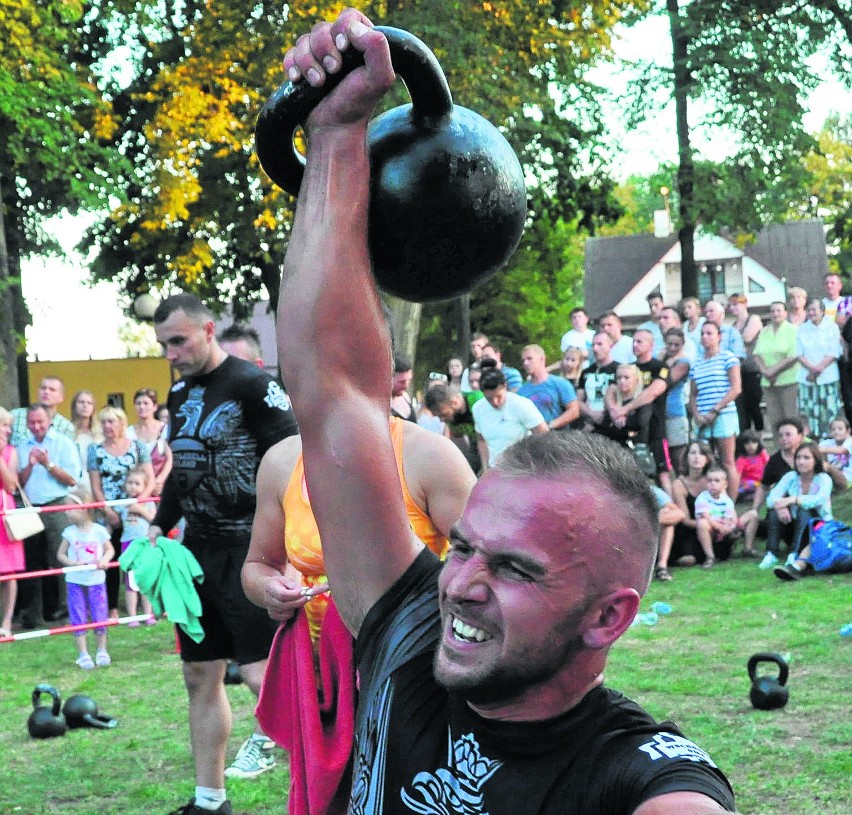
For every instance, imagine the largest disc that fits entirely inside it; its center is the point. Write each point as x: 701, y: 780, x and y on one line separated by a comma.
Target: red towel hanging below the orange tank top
x: 318, y: 735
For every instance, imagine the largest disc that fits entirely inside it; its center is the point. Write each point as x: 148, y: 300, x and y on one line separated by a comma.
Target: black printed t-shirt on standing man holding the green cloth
x: 220, y: 425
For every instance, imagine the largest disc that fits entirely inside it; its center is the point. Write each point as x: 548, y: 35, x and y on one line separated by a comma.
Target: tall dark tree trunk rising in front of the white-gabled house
x: 686, y: 169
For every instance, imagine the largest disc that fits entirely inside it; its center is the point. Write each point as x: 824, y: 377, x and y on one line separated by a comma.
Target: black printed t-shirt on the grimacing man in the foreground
x: 422, y: 749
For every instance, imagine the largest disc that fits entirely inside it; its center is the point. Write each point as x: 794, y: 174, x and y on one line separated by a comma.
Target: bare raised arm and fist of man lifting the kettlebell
x: 333, y: 341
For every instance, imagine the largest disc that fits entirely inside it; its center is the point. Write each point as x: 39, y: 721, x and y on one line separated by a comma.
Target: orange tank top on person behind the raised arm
x: 301, y: 535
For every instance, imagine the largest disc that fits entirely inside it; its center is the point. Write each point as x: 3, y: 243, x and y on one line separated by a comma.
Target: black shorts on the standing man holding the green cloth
x: 234, y: 628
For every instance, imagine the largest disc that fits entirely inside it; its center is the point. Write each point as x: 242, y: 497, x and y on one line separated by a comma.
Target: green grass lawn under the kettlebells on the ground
x: 690, y: 667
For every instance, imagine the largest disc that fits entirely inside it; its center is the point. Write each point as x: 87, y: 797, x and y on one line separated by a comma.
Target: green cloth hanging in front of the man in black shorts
x: 166, y: 573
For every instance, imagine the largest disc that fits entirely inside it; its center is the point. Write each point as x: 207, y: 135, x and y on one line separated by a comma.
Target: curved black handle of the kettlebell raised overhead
x: 291, y: 104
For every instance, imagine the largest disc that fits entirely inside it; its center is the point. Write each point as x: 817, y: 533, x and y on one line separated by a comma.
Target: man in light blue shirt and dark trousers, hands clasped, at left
x: 49, y: 466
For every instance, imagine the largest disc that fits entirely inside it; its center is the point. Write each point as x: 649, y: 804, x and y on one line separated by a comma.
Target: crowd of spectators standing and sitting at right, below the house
x: 698, y: 390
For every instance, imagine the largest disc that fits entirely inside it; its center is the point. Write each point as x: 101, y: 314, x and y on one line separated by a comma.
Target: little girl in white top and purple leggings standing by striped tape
x: 84, y: 541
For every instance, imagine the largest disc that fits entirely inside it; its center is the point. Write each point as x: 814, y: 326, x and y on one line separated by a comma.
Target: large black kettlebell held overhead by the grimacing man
x: 447, y: 194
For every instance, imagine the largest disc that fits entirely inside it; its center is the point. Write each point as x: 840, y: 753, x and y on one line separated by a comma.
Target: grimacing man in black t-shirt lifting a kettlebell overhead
x: 481, y: 682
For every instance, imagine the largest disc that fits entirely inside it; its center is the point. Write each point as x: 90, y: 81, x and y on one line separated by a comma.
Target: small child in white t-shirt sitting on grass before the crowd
x: 718, y: 524
